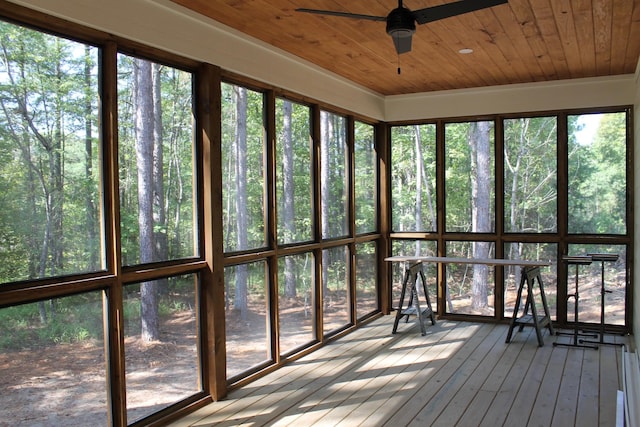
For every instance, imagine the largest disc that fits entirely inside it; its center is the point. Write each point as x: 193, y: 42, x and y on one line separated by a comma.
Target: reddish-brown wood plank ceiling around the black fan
x: 519, y: 42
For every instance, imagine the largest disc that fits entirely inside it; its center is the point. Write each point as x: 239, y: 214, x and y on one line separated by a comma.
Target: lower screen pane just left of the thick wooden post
x: 161, y: 344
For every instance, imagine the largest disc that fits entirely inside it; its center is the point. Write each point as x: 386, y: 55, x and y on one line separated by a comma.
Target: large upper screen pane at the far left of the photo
x: 50, y: 161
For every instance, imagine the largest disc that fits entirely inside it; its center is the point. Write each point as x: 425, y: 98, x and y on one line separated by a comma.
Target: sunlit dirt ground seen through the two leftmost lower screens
x: 65, y: 384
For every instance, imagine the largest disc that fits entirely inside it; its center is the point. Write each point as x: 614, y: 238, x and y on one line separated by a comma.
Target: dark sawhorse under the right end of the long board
x: 529, y: 277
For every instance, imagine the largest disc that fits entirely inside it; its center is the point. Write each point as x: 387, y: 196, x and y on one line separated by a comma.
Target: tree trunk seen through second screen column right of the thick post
x: 288, y: 193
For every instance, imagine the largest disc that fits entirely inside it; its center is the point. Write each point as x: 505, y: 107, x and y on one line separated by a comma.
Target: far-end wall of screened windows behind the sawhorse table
x: 534, y: 155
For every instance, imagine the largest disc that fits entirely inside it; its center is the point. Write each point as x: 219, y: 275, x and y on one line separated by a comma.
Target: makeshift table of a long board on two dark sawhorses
x: 530, y: 274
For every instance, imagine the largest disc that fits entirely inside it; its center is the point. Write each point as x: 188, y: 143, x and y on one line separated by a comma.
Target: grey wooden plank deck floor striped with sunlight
x: 460, y: 374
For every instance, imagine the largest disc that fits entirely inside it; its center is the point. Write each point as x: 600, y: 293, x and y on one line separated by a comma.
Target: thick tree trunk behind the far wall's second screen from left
x: 481, y: 195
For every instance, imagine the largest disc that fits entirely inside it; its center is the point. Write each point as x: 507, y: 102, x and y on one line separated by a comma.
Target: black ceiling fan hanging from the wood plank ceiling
x: 401, y: 22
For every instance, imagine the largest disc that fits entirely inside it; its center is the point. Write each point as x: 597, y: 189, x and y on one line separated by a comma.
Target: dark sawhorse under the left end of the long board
x: 410, y: 284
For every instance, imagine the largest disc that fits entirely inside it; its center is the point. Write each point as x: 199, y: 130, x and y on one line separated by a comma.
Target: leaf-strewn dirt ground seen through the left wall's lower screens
x: 65, y: 384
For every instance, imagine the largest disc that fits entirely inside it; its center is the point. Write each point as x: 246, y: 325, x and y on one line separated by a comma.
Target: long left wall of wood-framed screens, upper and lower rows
x: 290, y: 213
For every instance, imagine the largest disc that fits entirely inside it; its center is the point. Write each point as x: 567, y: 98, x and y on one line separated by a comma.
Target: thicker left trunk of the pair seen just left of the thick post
x: 150, y: 330
